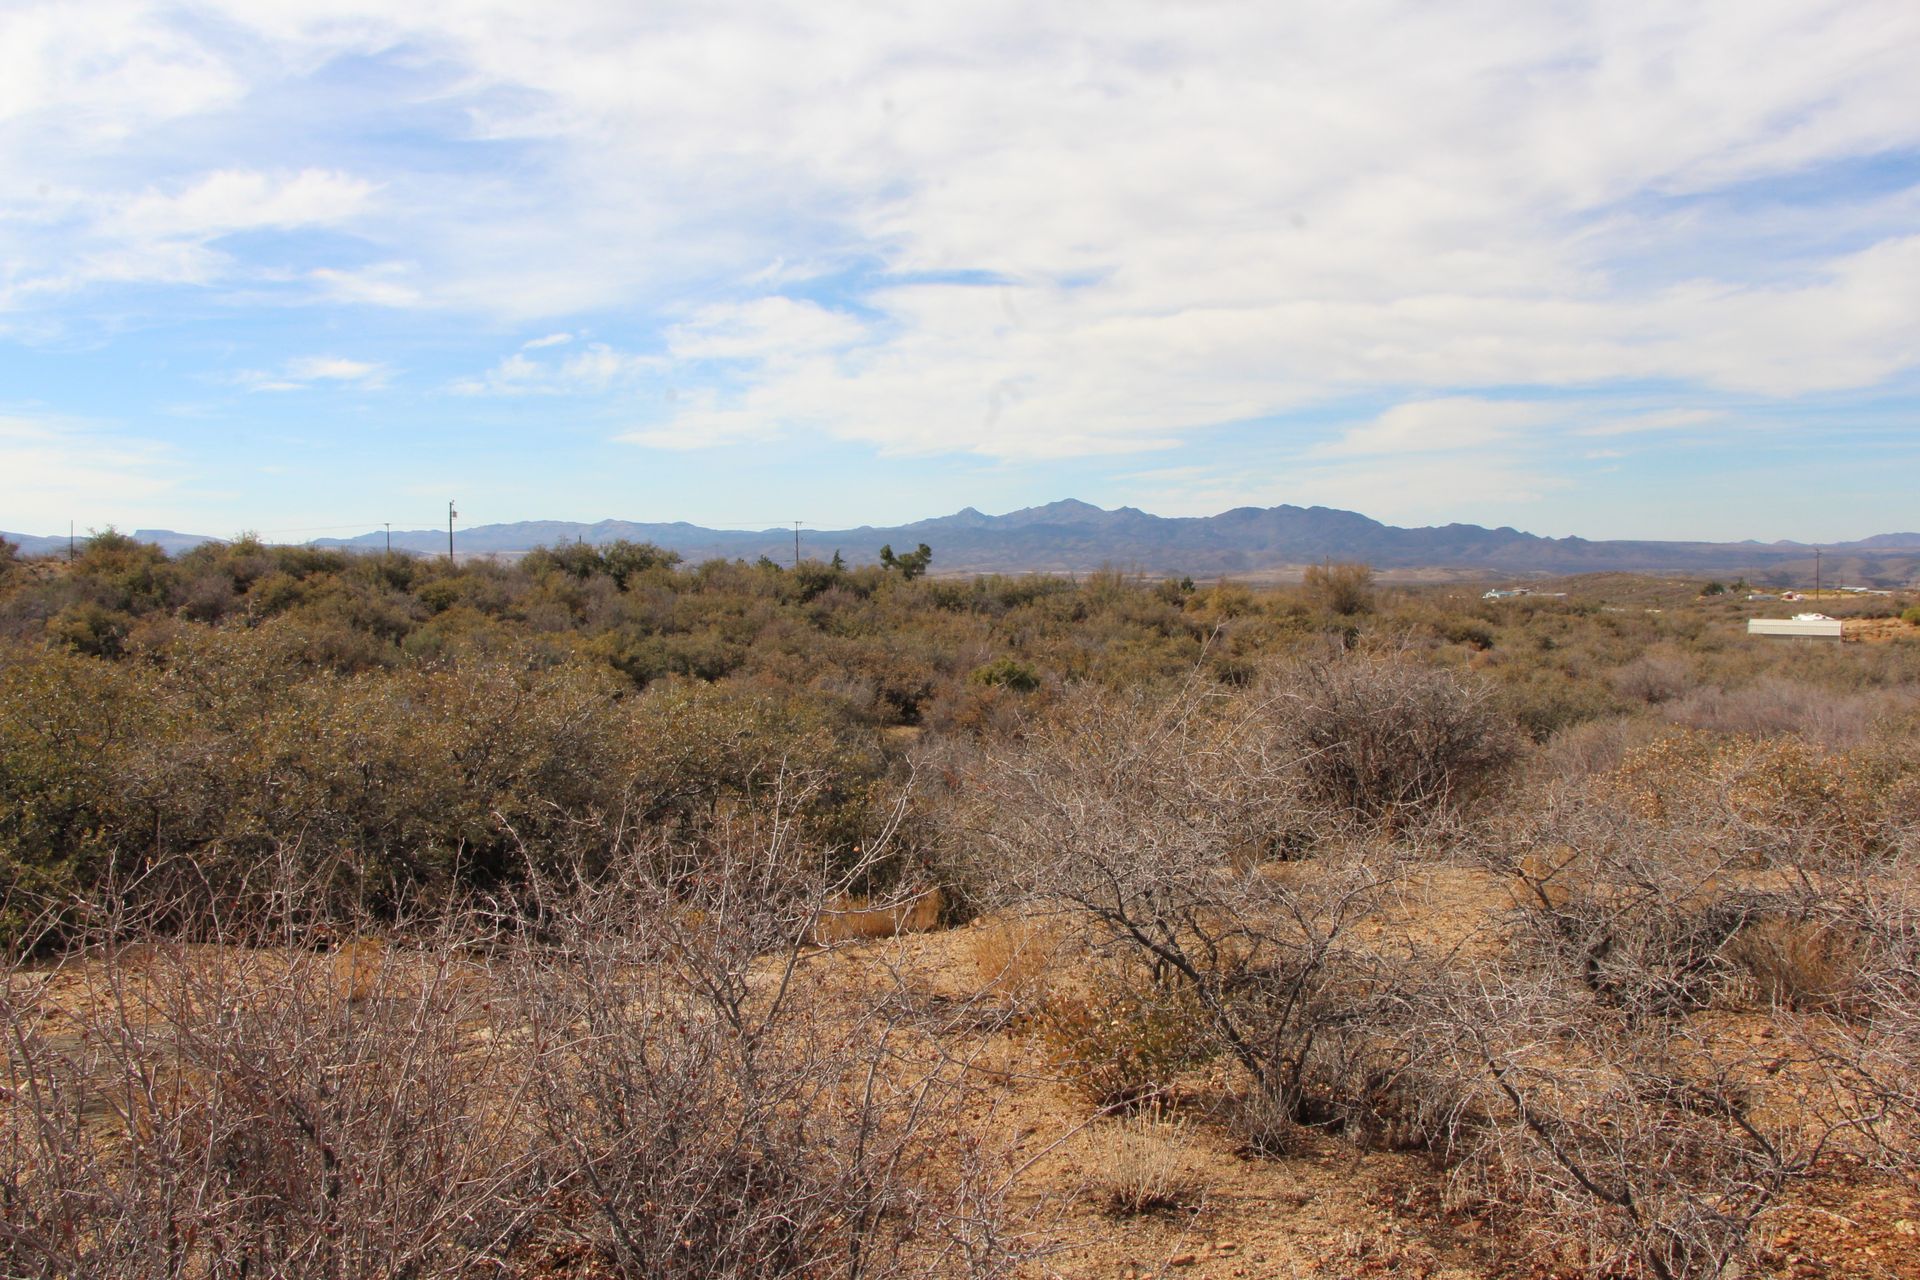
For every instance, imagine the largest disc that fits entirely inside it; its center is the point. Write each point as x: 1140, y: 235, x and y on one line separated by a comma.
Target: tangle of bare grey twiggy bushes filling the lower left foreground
x: 644, y: 1064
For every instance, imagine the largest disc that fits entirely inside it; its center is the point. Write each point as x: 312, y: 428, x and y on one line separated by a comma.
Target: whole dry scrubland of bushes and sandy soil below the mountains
x: 604, y: 916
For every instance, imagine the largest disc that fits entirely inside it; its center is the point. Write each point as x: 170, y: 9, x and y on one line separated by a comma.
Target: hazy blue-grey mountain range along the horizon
x: 1072, y: 536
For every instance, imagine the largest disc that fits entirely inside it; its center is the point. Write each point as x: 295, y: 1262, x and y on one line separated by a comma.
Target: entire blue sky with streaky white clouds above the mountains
x: 308, y: 266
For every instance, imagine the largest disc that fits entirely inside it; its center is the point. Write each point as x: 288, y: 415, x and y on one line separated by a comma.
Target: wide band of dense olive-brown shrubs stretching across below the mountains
x: 404, y: 724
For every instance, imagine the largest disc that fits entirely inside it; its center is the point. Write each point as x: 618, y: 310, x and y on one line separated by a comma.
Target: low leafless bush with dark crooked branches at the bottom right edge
x: 1627, y: 1145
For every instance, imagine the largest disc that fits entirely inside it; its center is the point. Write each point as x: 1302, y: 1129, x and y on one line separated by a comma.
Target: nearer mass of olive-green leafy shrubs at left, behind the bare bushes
x: 229, y: 753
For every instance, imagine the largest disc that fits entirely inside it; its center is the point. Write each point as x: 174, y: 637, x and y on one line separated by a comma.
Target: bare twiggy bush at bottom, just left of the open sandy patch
x: 715, y: 1106
